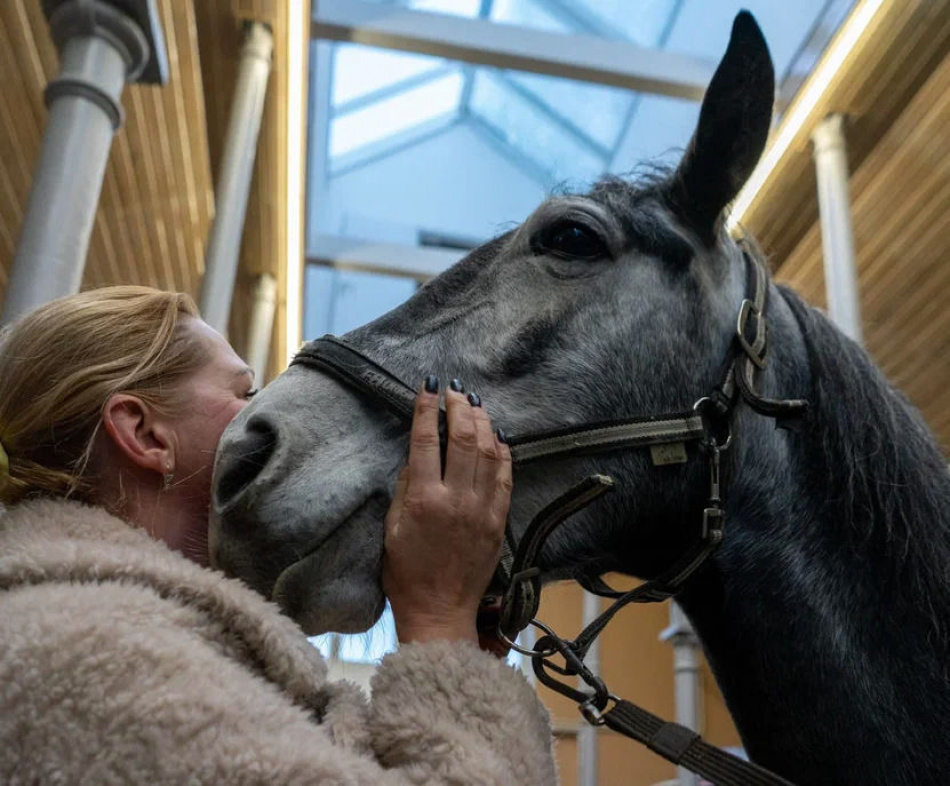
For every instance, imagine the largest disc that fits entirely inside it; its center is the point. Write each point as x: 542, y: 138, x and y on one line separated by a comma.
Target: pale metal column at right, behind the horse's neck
x: 837, y: 236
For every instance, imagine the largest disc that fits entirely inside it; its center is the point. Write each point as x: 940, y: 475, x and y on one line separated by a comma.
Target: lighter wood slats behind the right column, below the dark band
x: 901, y: 210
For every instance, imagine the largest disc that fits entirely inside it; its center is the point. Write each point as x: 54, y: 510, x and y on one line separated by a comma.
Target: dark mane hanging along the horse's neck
x: 890, y: 482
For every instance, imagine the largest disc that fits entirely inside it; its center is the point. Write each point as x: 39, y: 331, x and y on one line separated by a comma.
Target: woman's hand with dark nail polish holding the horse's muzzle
x: 444, y: 532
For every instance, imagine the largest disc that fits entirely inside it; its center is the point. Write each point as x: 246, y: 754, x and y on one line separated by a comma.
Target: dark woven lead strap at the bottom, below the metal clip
x: 685, y: 748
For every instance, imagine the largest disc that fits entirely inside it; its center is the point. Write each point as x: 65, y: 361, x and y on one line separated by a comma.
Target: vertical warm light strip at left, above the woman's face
x: 297, y: 35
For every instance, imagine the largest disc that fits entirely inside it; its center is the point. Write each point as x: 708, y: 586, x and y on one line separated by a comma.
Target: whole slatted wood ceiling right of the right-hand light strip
x: 897, y: 95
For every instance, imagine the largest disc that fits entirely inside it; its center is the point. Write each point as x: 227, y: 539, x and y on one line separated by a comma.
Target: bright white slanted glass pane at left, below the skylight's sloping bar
x: 395, y: 114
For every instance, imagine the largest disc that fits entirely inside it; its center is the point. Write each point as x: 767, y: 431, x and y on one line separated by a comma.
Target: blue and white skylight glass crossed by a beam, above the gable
x: 555, y: 128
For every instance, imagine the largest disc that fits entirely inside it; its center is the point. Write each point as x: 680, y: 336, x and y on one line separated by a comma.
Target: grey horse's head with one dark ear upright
x: 619, y: 301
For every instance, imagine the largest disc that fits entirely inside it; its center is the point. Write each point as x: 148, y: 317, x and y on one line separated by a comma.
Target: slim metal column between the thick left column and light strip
x: 234, y: 177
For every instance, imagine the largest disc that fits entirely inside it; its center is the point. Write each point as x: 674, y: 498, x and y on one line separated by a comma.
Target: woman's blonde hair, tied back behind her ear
x: 60, y: 364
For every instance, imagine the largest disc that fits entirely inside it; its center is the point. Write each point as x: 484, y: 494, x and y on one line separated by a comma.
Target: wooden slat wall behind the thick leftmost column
x: 157, y: 199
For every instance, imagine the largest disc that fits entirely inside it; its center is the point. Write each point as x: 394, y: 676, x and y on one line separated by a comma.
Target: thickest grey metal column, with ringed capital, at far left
x: 100, y: 49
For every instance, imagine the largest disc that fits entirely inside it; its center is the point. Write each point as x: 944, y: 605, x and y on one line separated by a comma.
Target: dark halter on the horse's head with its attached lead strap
x: 708, y: 423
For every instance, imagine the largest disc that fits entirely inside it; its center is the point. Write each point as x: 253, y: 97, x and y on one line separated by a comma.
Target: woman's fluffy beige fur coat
x: 123, y: 663
